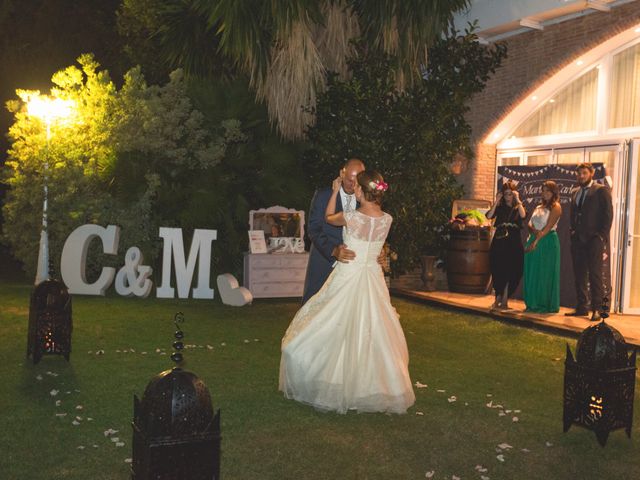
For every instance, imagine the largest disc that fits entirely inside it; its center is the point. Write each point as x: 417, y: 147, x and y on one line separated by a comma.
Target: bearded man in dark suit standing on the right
x: 591, y: 217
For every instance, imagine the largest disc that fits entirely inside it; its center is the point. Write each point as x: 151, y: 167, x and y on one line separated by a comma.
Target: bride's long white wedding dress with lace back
x: 345, y: 349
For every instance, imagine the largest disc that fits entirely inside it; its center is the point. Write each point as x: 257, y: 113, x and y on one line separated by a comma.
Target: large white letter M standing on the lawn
x: 201, y: 248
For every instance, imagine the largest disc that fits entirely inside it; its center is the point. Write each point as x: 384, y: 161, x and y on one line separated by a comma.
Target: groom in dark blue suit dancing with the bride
x: 326, y: 240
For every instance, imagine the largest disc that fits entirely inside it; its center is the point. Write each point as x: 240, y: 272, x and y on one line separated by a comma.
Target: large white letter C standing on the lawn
x: 74, y: 258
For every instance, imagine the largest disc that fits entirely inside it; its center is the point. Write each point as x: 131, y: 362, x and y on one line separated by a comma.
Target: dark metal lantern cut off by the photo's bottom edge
x: 175, y: 432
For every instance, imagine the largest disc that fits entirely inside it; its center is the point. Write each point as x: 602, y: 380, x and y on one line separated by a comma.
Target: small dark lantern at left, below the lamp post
x: 50, y: 322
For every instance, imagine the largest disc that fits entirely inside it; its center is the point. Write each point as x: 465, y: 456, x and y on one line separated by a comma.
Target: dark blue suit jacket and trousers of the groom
x: 324, y: 238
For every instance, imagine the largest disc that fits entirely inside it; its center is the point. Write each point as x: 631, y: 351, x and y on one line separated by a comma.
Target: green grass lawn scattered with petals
x: 268, y: 437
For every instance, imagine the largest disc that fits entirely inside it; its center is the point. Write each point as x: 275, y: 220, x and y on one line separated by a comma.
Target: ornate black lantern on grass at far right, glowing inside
x: 599, y: 384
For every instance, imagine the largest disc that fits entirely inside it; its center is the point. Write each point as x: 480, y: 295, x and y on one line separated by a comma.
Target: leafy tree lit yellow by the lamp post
x: 119, y: 159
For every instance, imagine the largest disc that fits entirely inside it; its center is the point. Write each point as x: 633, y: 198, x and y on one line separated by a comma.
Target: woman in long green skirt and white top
x: 542, y: 254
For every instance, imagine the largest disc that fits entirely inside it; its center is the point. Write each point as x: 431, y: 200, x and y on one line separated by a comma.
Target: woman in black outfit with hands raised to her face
x: 506, y: 255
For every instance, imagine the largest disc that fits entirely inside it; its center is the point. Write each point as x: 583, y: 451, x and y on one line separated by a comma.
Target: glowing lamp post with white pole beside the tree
x: 48, y: 110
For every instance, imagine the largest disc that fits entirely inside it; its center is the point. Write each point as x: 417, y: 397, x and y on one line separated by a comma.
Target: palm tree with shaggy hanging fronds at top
x: 287, y: 47
